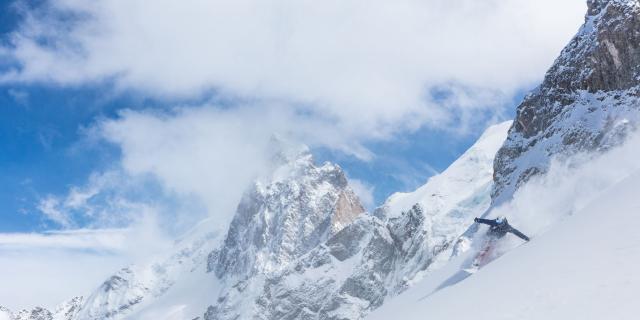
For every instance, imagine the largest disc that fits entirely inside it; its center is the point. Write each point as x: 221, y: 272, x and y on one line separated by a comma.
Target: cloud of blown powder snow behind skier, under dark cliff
x: 570, y: 185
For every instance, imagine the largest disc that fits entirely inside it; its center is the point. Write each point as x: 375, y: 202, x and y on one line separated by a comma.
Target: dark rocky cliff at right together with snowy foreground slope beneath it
x: 567, y: 173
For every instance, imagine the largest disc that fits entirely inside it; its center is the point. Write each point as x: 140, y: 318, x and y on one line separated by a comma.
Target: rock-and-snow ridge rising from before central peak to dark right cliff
x: 375, y: 257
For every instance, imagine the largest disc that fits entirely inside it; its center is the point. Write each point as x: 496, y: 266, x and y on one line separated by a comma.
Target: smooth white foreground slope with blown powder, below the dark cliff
x: 580, y: 264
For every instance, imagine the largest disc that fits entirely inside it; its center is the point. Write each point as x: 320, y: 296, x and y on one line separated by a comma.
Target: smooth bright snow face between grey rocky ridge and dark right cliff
x: 450, y: 200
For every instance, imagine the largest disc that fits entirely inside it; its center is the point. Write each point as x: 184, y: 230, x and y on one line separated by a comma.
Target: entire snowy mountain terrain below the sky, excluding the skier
x: 301, y: 246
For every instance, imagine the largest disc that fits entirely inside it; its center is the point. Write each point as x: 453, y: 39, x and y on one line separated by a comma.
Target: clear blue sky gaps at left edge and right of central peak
x: 44, y: 150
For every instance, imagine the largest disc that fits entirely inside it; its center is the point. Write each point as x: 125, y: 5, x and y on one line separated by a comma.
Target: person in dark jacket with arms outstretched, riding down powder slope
x: 498, y: 228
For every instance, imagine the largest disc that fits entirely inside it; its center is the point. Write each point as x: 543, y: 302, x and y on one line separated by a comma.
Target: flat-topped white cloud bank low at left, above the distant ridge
x: 47, y: 269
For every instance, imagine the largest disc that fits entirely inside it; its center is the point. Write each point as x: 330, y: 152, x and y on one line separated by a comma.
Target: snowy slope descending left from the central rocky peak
x: 137, y: 288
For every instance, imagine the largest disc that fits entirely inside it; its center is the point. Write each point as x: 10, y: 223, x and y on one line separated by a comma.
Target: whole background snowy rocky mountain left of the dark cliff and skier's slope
x: 301, y: 246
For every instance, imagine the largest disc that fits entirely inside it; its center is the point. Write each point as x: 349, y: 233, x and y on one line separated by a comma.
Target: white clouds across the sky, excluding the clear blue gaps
x: 331, y: 73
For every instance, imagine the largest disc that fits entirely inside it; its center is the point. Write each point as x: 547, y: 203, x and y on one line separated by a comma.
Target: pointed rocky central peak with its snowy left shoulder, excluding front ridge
x: 286, y: 213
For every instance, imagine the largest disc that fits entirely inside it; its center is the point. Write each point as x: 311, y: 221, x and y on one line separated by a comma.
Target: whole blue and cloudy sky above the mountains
x: 117, y: 115
